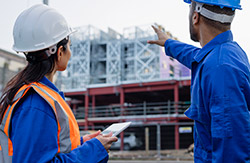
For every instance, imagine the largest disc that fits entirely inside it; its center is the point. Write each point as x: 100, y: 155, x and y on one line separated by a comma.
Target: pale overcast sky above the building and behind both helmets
x: 120, y: 14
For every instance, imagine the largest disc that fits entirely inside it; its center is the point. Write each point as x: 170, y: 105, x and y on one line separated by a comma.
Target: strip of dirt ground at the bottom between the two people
x: 177, y: 155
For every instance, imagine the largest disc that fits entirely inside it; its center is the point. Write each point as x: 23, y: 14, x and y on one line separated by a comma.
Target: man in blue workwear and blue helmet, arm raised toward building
x: 220, y: 84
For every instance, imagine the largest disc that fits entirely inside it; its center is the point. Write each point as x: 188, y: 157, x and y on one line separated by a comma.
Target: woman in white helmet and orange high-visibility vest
x: 36, y: 123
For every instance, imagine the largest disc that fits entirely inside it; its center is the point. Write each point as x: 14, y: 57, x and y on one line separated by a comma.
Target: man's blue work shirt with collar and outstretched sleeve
x: 220, y: 98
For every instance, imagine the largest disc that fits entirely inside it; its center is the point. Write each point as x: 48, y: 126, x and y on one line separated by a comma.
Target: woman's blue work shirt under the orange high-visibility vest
x: 34, y: 134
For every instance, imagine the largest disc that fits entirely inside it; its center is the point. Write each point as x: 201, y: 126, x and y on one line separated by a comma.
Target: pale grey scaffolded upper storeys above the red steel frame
x: 102, y: 59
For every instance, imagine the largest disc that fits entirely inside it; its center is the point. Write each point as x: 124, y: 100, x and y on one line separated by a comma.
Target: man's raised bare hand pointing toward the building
x: 162, y: 37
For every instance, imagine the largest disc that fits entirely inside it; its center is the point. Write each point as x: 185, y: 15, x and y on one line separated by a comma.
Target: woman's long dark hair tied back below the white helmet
x: 37, y: 67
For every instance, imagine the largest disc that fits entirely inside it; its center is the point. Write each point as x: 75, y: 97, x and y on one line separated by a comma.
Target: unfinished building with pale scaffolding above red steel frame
x: 114, y: 77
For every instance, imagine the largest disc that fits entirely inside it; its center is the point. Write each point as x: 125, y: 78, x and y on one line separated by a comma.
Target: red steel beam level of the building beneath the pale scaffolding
x: 117, y: 96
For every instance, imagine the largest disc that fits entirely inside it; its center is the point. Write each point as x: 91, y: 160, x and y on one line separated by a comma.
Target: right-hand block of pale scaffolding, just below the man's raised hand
x: 141, y: 61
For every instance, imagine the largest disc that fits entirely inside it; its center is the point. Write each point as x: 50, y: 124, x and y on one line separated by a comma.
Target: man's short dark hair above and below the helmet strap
x: 215, y: 24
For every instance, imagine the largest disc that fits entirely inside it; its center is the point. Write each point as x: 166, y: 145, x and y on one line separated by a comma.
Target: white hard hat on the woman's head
x: 39, y: 27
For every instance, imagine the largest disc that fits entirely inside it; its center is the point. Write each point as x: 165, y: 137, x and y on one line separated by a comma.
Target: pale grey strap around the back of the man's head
x: 213, y: 16
